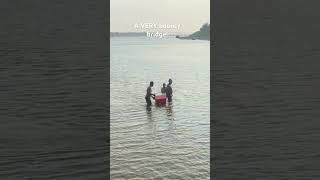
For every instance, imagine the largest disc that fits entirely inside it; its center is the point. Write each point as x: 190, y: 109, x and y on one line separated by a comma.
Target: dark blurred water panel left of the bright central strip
x: 52, y: 90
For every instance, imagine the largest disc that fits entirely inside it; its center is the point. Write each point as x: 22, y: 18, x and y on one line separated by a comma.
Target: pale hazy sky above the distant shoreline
x: 190, y: 14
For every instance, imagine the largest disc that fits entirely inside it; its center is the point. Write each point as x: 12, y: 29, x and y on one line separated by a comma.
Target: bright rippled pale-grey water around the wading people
x: 170, y: 142
